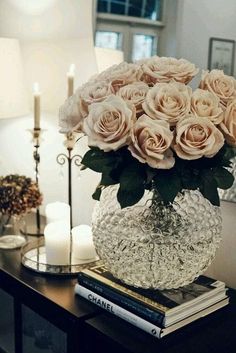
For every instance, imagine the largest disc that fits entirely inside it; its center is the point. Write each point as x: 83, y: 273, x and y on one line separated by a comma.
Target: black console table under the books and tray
x: 41, y: 314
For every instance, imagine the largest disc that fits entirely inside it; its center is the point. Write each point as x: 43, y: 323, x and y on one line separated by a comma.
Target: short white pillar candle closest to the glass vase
x: 83, y: 247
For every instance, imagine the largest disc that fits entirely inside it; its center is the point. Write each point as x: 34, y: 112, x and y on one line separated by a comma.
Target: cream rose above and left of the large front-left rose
x: 94, y: 92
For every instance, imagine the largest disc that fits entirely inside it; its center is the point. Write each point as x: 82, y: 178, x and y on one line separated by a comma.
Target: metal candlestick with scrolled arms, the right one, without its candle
x: 75, y: 159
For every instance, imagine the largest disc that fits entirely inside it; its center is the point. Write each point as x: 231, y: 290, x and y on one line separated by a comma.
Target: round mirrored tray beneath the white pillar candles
x: 33, y: 256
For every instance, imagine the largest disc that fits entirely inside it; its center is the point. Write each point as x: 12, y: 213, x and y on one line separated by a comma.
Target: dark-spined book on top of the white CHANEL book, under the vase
x: 162, y: 308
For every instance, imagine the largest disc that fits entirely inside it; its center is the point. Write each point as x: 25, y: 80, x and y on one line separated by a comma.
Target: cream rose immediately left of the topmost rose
x: 121, y: 75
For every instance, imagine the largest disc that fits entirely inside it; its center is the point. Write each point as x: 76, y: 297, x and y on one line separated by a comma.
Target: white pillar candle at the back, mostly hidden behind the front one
x: 57, y: 211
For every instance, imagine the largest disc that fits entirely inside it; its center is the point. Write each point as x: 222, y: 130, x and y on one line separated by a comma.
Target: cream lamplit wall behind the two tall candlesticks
x: 53, y: 34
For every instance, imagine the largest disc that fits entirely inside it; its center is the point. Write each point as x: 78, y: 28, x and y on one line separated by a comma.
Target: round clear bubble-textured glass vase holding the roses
x: 151, y: 245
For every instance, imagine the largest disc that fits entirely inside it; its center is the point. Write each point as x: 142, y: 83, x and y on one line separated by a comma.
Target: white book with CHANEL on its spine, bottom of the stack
x: 135, y: 320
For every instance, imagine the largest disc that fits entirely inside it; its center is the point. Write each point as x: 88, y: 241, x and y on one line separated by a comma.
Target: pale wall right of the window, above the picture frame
x: 198, y: 21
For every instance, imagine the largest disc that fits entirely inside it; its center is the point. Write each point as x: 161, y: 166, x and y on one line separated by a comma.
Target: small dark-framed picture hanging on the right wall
x: 221, y: 55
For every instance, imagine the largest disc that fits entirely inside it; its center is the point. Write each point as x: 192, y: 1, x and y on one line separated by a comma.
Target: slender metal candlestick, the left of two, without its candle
x: 36, y: 229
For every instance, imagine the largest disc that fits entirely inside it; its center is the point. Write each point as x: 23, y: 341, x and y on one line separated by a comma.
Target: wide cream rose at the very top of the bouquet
x: 157, y: 70
